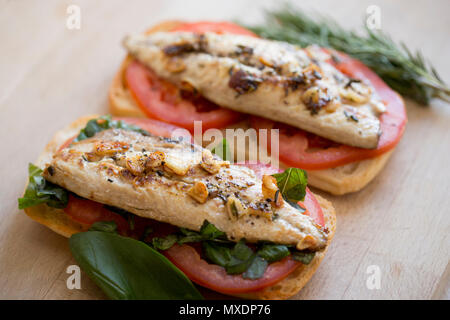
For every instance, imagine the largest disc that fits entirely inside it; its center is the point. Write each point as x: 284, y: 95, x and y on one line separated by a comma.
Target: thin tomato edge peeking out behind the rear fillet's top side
x: 216, y: 27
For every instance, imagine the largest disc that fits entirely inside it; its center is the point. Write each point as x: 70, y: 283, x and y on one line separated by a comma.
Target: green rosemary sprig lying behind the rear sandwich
x: 406, y: 72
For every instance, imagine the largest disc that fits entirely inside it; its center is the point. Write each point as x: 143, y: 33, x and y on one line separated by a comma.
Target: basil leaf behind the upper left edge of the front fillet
x: 104, y: 123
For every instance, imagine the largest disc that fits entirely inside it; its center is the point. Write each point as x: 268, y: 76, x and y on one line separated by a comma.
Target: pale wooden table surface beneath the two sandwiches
x: 51, y: 75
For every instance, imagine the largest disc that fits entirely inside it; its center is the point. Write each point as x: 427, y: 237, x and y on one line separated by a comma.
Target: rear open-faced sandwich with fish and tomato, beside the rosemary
x: 336, y: 118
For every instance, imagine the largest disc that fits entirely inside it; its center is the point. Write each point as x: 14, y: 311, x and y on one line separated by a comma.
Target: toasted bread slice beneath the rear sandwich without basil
x: 338, y: 181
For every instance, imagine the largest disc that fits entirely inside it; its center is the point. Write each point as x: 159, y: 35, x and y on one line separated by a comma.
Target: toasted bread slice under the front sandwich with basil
x: 58, y: 221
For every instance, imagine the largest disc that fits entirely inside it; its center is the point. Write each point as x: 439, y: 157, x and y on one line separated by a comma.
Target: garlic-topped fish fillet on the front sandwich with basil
x: 107, y: 168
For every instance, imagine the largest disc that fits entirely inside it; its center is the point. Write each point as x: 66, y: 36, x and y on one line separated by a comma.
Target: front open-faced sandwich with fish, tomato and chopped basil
x: 243, y: 230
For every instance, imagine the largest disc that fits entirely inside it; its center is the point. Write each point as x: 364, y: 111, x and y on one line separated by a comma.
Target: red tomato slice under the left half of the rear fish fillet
x: 161, y: 100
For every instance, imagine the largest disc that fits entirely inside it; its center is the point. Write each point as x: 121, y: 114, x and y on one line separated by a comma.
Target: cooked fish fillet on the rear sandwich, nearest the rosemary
x: 266, y: 78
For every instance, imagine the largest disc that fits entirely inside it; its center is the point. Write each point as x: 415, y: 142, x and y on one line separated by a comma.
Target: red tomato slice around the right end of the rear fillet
x: 304, y: 150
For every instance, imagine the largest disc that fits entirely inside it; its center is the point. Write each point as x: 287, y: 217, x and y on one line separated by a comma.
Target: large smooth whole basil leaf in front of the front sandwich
x: 125, y: 268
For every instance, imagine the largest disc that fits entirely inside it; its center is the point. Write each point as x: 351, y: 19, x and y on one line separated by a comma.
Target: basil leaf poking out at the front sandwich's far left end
x: 40, y: 191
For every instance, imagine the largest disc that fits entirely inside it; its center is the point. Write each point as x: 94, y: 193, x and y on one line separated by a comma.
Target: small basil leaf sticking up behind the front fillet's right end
x: 292, y: 184
